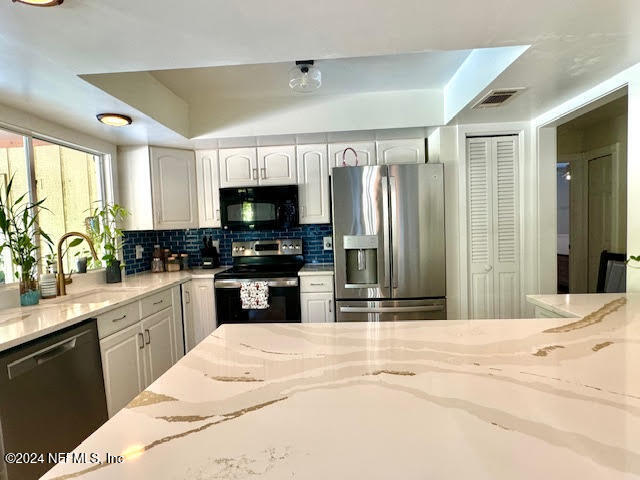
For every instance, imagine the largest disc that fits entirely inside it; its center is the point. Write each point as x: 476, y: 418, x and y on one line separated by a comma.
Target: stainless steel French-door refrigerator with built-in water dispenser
x: 389, y: 243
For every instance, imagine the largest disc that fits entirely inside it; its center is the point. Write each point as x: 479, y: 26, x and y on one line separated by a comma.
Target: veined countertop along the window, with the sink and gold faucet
x: 22, y: 324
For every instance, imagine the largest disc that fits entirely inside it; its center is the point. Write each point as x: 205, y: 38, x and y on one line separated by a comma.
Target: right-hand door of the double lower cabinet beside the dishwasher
x: 159, y: 339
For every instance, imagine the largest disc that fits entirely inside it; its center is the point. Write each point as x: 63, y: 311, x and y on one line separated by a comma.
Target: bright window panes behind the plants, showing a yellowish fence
x: 69, y: 179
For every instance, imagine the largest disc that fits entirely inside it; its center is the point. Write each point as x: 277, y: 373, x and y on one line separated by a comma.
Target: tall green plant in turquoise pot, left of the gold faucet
x: 19, y: 226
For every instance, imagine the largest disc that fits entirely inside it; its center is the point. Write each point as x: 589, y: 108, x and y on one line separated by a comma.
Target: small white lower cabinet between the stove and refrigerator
x: 316, y: 299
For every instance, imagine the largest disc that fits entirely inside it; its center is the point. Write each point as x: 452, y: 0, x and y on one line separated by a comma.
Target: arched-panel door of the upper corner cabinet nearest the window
x: 175, y: 202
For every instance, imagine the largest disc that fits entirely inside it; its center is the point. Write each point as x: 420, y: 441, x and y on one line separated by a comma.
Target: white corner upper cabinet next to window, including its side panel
x: 158, y: 186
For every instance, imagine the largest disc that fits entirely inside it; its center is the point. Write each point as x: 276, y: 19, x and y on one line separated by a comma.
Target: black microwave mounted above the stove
x: 259, y: 208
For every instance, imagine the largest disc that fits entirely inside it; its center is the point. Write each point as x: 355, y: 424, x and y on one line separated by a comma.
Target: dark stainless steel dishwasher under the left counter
x: 51, y: 397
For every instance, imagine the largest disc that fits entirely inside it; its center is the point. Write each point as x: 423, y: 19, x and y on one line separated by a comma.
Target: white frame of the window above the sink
x: 101, y: 159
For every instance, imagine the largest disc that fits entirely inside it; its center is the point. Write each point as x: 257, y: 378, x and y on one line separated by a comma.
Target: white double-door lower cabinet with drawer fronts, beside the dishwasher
x: 134, y: 356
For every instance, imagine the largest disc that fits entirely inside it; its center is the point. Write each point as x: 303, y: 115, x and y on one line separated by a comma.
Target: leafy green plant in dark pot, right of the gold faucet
x: 103, y: 229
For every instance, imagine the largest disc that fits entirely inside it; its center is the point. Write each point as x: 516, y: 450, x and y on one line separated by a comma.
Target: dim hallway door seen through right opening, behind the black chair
x: 600, y: 214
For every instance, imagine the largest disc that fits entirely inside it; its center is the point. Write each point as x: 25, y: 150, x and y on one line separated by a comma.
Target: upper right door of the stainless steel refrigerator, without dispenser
x: 417, y: 217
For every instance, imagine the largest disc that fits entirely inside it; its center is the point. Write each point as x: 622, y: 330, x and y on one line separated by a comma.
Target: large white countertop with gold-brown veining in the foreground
x: 490, y: 399
